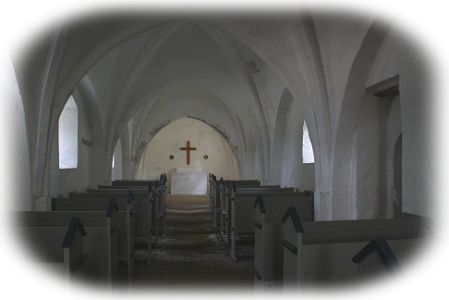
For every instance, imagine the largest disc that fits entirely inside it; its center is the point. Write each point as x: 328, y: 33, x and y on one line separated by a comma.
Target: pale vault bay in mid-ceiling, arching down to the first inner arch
x: 184, y: 55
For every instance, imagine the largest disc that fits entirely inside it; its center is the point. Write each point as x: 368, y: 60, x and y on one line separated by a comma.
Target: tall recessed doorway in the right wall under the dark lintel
x: 373, y: 163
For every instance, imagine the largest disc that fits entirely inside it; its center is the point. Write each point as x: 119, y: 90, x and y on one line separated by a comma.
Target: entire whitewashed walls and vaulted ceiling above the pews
x: 348, y: 99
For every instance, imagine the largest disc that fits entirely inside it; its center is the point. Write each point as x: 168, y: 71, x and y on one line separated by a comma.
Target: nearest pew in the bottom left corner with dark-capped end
x: 59, y: 280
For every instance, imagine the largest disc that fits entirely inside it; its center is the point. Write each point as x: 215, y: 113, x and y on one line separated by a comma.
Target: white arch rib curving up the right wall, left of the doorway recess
x: 354, y: 93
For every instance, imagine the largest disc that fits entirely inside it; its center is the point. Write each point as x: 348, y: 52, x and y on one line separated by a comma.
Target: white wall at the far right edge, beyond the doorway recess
x: 414, y: 49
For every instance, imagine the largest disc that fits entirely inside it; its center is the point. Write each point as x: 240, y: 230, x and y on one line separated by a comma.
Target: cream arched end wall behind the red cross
x: 155, y: 159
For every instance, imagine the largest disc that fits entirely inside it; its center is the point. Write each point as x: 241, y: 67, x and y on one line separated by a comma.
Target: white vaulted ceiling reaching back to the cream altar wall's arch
x: 186, y: 68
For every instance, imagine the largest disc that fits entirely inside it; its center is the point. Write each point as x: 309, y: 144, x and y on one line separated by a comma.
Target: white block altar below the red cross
x: 188, y: 181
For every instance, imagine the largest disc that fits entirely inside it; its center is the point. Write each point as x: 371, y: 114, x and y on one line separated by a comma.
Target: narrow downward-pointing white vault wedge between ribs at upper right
x: 340, y: 28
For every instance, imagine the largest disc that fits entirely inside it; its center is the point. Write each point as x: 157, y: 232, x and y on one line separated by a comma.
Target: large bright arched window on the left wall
x: 68, y: 136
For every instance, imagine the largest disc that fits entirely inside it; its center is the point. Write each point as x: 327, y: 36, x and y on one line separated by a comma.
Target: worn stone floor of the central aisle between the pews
x: 192, y: 261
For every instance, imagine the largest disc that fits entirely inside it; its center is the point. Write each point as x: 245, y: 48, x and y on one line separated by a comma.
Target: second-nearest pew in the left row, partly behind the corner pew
x: 100, y: 244
